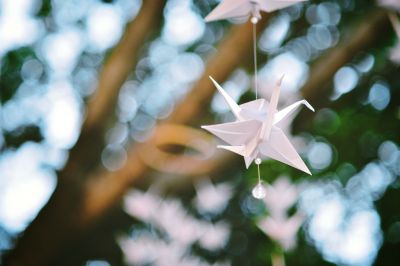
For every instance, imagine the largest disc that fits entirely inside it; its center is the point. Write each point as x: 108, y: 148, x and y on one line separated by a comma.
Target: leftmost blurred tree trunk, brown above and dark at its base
x: 56, y: 223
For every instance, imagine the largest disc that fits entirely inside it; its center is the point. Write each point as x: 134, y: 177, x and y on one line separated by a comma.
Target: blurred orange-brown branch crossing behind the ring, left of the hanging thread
x: 107, y: 189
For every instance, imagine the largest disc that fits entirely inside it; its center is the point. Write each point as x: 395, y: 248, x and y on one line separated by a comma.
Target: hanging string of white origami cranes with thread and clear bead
x: 256, y: 134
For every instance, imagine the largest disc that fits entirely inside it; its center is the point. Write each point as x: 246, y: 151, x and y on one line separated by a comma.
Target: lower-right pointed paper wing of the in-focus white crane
x: 279, y: 148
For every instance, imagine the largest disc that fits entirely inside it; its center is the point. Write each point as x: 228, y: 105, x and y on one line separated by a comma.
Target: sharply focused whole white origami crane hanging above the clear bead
x: 255, y: 133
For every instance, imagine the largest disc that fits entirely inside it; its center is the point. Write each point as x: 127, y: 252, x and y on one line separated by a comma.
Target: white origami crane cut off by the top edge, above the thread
x: 242, y: 8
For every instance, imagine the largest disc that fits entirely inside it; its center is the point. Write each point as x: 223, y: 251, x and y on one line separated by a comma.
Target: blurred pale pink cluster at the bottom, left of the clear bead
x: 180, y: 228
